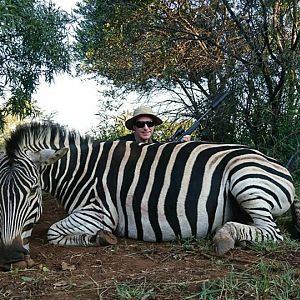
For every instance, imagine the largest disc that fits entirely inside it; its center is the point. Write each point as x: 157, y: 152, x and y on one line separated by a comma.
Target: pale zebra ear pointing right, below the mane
x: 47, y: 156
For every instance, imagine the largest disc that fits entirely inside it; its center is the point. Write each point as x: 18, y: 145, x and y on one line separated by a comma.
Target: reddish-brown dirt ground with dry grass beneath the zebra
x: 128, y: 270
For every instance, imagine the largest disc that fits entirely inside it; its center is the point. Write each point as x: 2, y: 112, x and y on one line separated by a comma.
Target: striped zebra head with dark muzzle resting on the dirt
x: 20, y: 198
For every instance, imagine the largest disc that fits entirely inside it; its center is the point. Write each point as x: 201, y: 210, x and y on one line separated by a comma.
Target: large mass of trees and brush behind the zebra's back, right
x: 193, y: 50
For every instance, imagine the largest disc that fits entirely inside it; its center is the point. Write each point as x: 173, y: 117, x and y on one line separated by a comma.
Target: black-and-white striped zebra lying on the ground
x: 151, y: 192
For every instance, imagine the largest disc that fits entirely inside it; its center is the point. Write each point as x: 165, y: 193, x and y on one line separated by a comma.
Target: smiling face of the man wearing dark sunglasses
x: 143, y: 128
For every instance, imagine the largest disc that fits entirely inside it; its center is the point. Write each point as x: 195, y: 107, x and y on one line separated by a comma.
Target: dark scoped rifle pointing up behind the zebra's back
x: 180, y: 133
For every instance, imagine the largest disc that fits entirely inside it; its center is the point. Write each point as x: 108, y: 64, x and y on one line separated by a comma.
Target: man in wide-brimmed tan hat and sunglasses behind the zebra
x: 142, y: 124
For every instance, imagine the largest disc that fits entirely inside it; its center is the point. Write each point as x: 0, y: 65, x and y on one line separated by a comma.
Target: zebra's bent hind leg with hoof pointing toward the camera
x: 263, y: 228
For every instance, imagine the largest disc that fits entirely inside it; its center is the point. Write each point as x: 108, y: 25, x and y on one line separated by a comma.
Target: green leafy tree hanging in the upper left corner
x: 33, y: 44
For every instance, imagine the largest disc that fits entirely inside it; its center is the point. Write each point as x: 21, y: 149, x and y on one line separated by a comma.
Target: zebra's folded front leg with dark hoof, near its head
x: 85, y: 227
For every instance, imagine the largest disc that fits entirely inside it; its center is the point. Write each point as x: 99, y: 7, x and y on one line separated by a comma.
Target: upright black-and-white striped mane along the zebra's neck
x: 30, y: 135
